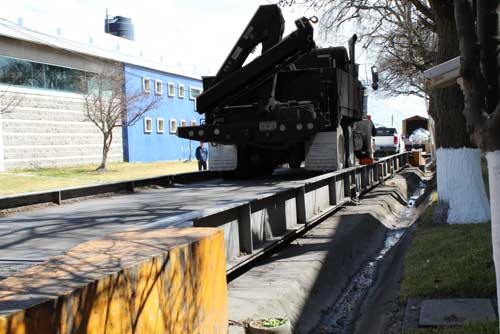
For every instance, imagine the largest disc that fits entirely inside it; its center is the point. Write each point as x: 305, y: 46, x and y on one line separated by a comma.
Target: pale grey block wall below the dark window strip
x: 48, y: 129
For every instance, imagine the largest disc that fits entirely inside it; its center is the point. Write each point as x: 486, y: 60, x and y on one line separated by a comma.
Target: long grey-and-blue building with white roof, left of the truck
x: 49, y: 126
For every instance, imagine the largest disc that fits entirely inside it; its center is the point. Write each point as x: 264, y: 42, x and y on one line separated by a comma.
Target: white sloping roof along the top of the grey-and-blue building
x: 126, y: 51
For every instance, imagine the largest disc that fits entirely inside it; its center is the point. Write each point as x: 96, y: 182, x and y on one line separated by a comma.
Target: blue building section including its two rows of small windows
x: 153, y: 136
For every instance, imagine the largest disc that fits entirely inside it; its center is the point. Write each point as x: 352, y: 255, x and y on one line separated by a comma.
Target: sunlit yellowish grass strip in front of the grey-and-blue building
x: 29, y: 180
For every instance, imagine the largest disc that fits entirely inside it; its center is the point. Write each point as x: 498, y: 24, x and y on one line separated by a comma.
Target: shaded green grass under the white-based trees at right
x: 446, y: 261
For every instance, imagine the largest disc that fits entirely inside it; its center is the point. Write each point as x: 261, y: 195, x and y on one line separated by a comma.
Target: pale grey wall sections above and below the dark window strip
x: 48, y: 128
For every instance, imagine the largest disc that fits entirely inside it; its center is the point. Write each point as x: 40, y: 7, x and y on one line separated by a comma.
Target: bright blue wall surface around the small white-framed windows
x: 144, y: 147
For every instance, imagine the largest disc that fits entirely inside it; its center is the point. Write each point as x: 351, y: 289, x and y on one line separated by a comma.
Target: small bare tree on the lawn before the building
x: 109, y: 105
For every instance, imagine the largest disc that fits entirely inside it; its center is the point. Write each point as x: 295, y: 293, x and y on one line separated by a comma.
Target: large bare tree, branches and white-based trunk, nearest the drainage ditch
x: 409, y: 36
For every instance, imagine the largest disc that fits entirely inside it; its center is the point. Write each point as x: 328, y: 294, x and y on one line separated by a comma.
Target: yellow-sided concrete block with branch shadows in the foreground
x: 159, y: 281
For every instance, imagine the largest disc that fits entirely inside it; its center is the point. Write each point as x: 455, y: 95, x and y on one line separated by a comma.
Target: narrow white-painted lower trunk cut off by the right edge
x: 494, y: 179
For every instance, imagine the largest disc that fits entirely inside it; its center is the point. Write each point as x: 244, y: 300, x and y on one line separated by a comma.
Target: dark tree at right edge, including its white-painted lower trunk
x: 478, y: 26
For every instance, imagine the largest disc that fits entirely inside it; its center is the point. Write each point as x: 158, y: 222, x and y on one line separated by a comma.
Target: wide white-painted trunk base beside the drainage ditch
x: 460, y: 184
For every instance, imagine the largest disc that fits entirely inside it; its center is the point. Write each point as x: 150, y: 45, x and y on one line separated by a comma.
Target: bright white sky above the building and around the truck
x: 192, y: 34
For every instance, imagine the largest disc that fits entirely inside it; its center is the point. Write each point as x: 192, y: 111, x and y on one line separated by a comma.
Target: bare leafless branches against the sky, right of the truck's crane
x: 402, y: 32
